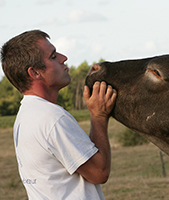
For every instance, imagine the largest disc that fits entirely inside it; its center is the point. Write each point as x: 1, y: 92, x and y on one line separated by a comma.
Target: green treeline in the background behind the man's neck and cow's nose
x: 70, y: 97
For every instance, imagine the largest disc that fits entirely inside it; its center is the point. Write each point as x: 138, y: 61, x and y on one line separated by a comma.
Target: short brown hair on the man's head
x: 18, y: 54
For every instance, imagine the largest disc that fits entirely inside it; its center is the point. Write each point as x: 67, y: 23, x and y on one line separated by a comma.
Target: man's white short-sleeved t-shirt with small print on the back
x: 50, y: 146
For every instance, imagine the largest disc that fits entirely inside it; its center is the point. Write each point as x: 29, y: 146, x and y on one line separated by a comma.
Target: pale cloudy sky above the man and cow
x: 88, y: 30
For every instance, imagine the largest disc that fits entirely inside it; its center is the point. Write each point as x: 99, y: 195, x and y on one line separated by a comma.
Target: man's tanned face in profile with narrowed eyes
x: 56, y: 75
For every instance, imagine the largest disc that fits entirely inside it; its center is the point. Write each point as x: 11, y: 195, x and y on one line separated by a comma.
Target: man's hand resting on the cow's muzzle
x: 102, y: 100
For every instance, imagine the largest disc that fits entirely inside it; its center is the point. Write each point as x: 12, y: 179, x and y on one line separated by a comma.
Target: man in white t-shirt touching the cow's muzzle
x: 56, y: 158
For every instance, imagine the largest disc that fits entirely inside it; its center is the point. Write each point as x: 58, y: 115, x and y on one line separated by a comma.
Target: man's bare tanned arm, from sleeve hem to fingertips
x: 97, y: 169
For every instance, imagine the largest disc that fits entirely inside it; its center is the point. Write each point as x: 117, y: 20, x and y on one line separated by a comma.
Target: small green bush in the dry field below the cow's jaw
x: 130, y: 138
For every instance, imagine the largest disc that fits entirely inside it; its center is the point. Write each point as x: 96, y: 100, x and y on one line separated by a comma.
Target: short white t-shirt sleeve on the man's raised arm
x: 70, y: 144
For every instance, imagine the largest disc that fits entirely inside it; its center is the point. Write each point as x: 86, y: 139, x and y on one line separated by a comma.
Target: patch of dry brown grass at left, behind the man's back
x: 10, y: 184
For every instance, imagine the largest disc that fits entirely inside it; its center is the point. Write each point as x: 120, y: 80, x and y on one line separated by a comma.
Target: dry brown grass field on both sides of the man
x: 136, y: 172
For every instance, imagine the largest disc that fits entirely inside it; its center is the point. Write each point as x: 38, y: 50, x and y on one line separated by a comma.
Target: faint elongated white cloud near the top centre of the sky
x: 84, y: 16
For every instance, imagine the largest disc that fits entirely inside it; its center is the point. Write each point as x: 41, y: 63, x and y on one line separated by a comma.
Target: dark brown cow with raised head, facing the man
x: 142, y: 102
